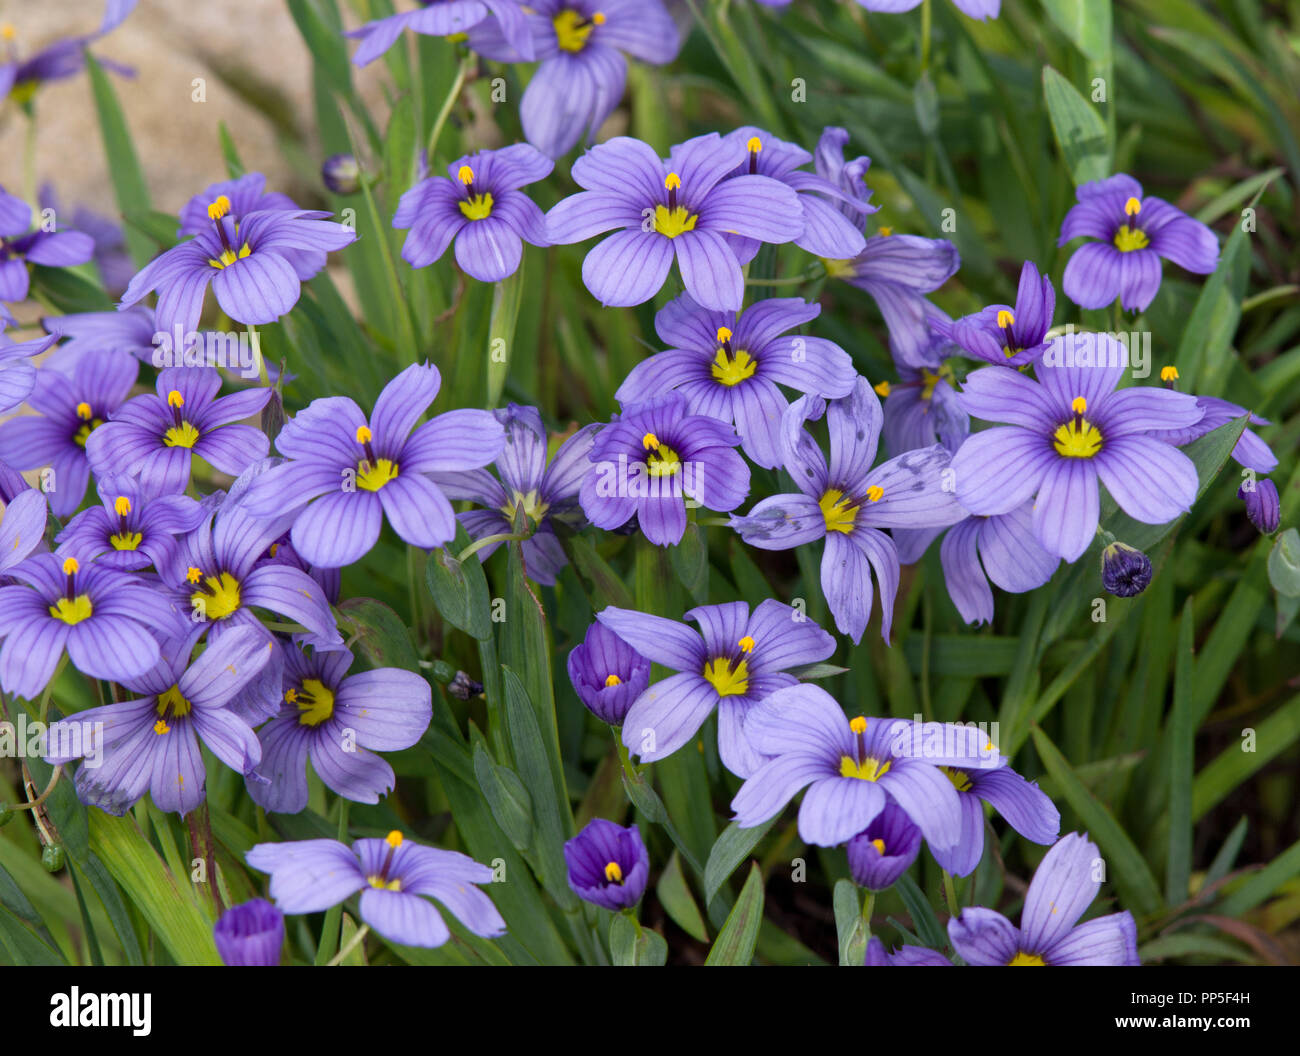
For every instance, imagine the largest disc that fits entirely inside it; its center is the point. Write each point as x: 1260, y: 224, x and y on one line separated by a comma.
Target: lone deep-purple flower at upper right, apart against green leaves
x: 1134, y: 233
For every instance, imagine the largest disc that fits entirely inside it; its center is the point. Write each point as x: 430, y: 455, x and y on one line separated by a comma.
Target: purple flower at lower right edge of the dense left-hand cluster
x: 333, y: 720
